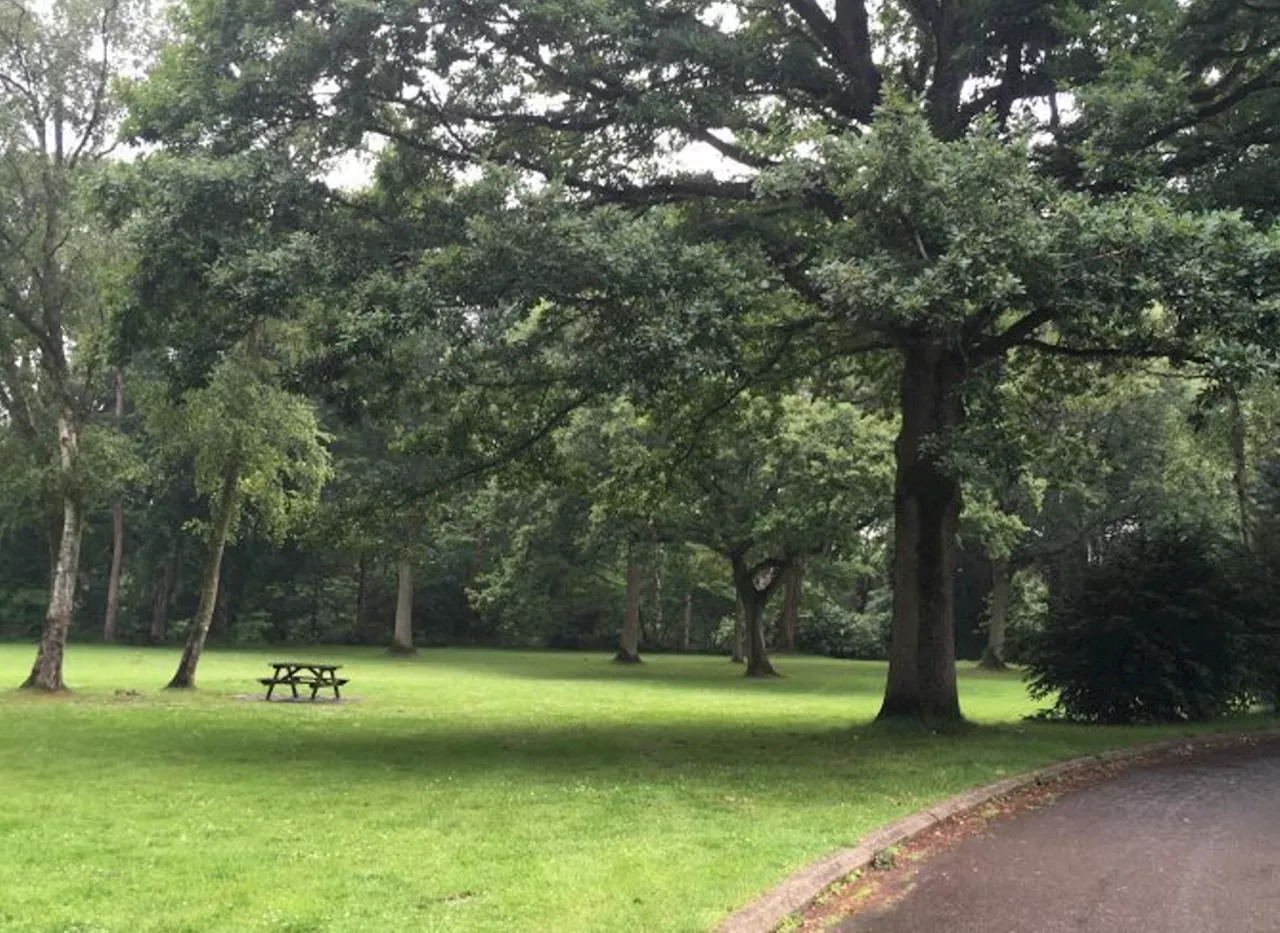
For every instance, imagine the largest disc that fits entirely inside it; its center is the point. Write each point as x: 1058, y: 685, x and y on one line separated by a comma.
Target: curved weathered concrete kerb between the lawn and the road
x: 802, y: 888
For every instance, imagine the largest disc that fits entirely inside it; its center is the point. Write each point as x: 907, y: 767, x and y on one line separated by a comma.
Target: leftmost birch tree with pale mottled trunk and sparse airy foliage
x: 57, y: 122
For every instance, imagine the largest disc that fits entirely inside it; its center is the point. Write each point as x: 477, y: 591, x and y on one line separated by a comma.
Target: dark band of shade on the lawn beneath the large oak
x: 893, y: 760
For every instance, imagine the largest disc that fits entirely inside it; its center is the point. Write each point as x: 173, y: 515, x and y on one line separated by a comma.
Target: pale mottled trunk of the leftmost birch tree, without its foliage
x: 47, y: 674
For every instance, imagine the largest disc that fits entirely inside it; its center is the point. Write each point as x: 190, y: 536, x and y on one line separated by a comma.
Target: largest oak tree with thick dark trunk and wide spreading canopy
x: 921, y: 230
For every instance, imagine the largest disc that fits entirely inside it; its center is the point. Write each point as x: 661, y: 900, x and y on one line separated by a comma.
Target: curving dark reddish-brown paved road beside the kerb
x: 1190, y: 848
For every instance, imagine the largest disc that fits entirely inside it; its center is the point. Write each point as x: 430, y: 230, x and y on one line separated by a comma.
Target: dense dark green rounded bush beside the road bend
x: 1163, y: 630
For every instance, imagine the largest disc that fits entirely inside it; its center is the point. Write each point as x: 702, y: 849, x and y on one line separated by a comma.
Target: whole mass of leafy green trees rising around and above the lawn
x: 876, y: 331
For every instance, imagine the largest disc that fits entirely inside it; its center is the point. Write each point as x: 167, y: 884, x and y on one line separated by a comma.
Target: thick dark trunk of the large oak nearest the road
x: 922, y: 678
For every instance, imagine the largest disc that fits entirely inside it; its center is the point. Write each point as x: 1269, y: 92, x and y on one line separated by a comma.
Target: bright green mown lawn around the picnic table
x: 461, y: 792
